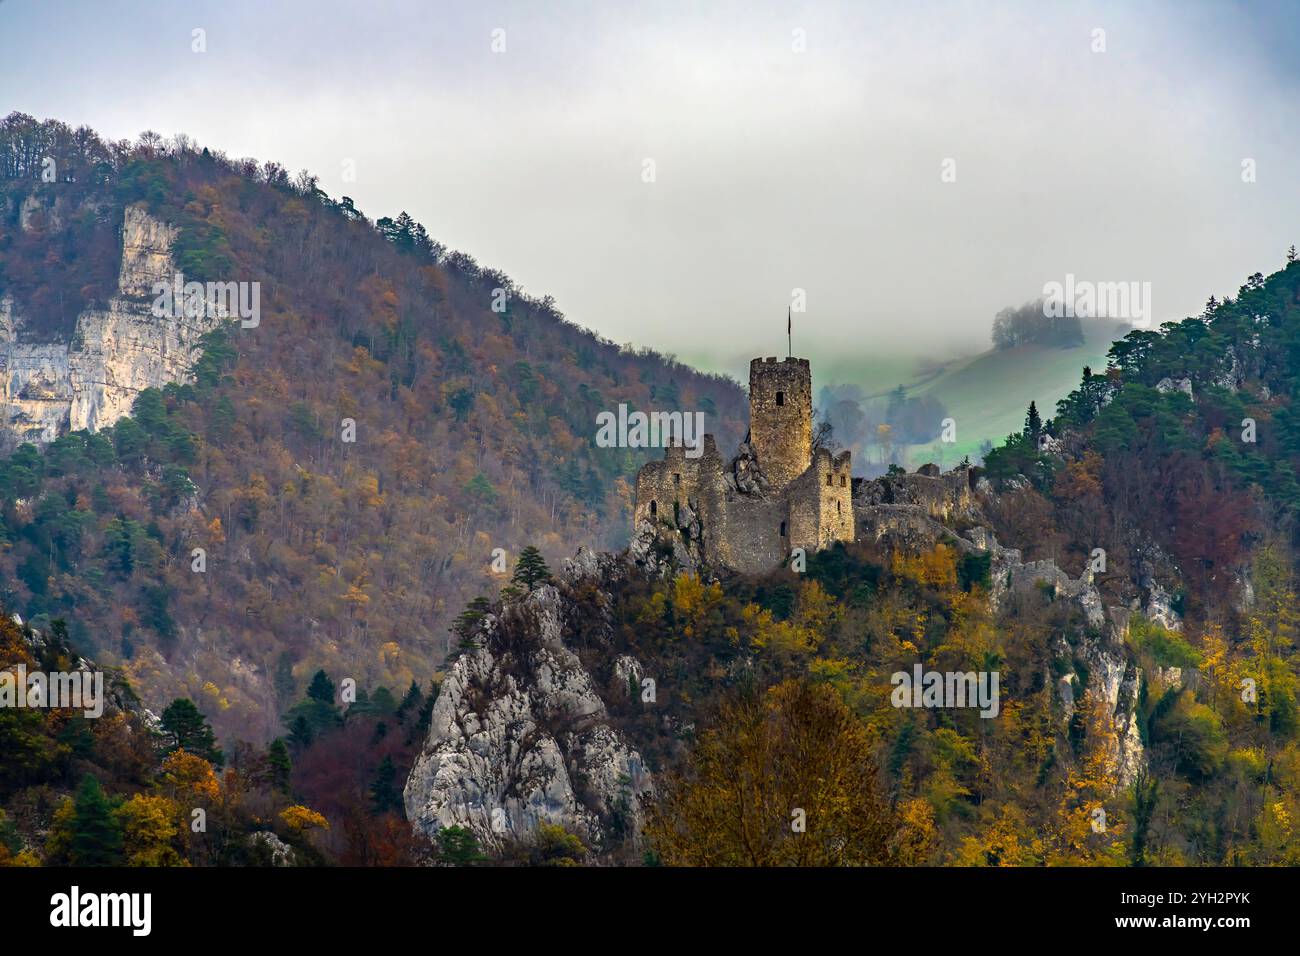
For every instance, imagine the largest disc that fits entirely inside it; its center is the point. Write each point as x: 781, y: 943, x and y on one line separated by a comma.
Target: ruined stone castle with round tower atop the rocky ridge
x: 775, y: 496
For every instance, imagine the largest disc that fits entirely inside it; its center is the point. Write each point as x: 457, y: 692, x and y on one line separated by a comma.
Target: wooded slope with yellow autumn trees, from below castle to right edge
x: 1147, y: 648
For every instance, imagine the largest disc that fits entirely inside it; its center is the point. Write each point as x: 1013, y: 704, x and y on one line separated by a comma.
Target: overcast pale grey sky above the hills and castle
x: 774, y: 170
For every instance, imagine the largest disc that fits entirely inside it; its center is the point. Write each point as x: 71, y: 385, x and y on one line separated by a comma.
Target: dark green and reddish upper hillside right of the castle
x: 1188, y: 444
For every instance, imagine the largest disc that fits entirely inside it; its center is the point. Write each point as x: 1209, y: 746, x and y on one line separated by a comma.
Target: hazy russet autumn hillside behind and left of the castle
x: 474, y: 432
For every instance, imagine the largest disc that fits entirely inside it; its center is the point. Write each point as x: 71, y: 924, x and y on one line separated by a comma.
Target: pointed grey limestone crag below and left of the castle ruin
x: 521, y: 737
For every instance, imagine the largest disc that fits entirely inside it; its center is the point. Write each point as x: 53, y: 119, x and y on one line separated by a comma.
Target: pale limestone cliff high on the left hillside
x: 92, y: 380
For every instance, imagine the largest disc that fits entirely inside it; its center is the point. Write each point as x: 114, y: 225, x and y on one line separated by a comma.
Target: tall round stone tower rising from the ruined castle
x: 781, y: 418
